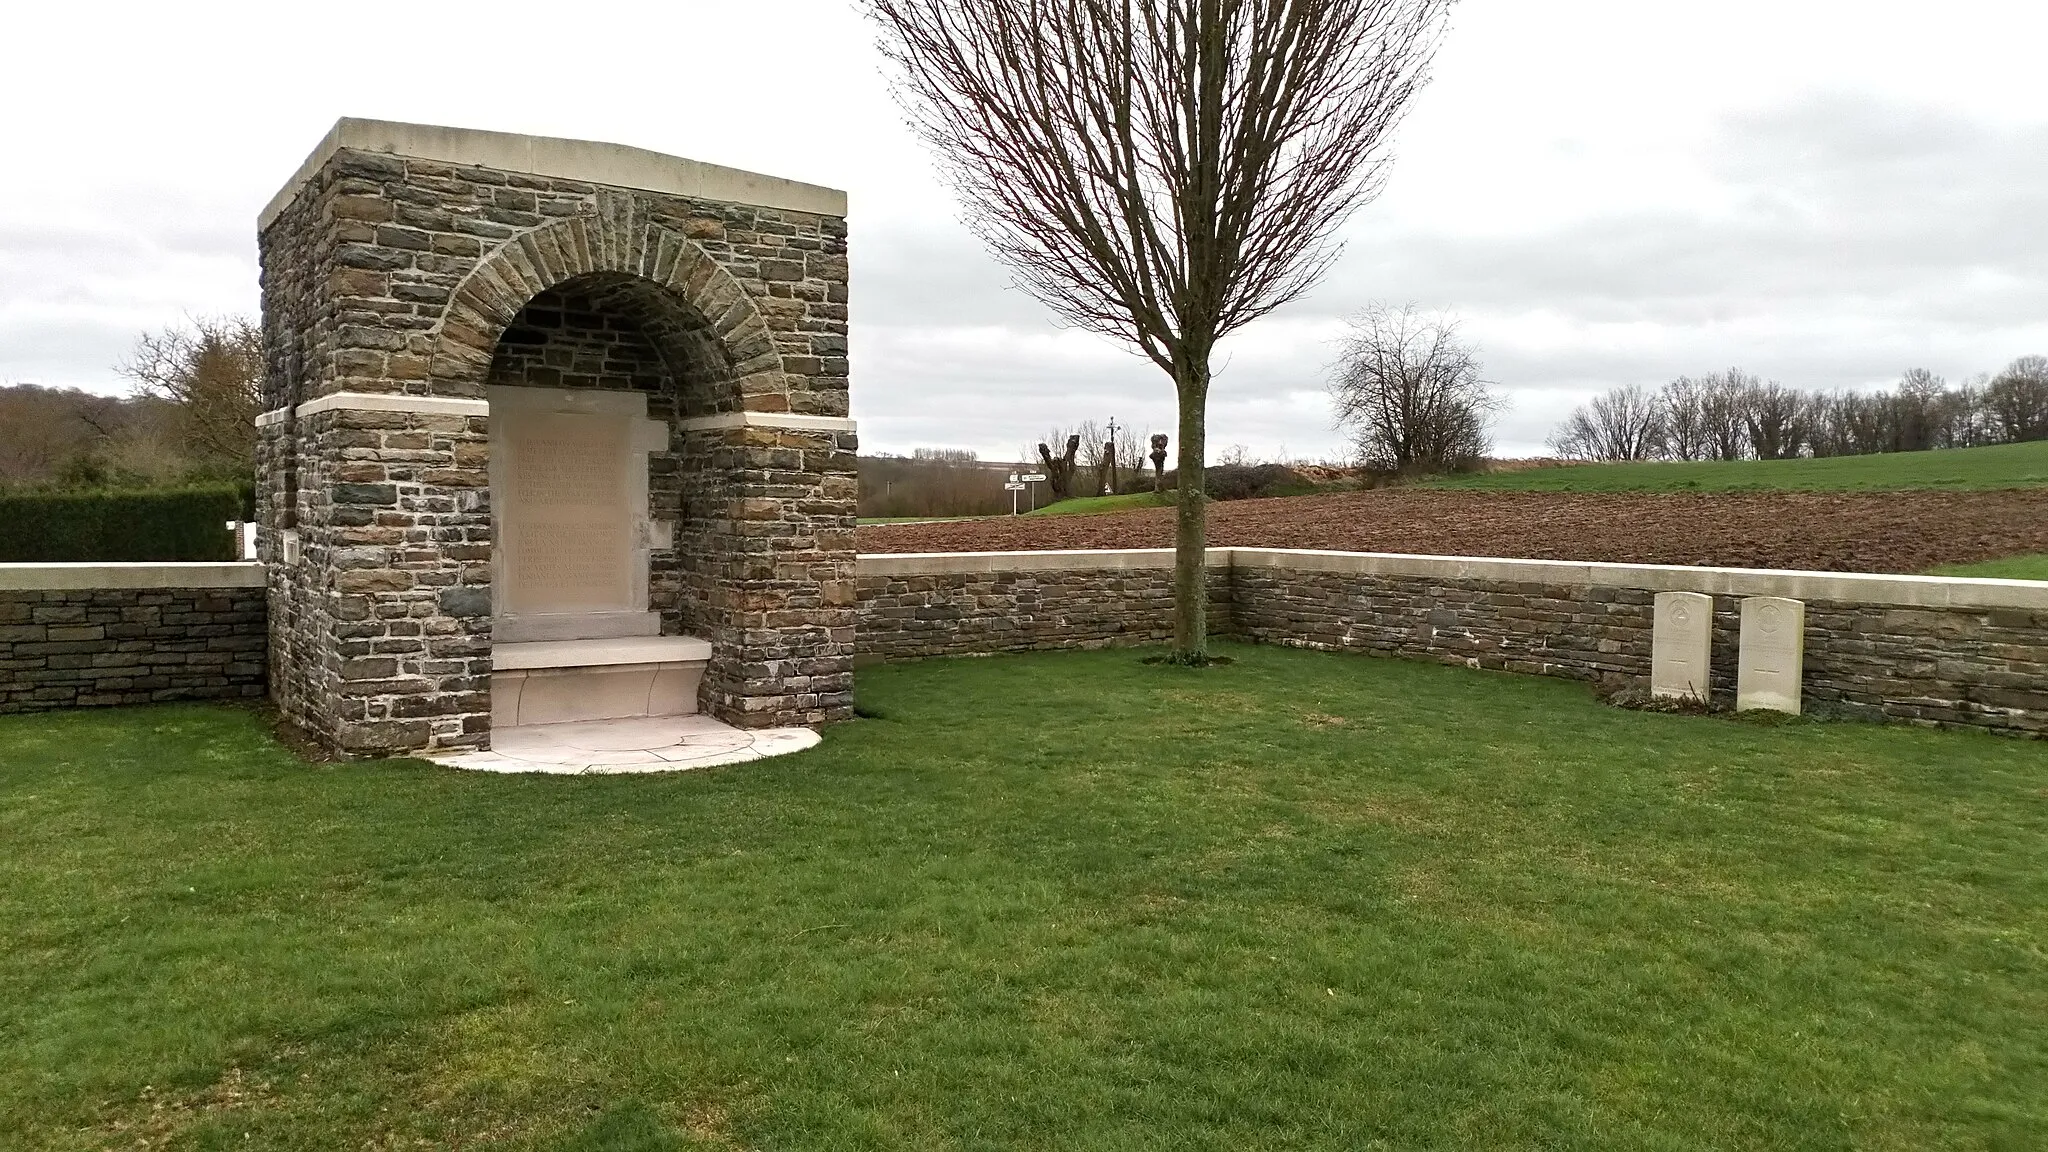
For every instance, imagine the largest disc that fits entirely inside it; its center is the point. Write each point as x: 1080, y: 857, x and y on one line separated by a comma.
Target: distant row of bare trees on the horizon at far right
x: 1736, y: 415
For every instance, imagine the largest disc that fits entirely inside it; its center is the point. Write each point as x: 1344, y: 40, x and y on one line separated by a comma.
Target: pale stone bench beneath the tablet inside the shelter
x: 558, y: 682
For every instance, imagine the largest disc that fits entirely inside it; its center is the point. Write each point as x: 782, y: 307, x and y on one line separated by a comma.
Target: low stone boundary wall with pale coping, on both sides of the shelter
x: 1920, y: 649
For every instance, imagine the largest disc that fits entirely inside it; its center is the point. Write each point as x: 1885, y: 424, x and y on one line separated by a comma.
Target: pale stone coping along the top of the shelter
x: 589, y: 161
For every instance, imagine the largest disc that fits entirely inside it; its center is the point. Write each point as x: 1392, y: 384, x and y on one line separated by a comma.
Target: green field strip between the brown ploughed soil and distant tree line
x: 2000, y: 466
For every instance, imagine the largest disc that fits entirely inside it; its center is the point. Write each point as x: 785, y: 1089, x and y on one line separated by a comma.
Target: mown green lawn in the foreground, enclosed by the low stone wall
x: 1060, y: 901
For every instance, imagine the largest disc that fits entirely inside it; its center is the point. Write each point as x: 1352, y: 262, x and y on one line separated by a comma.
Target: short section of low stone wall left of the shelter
x: 105, y: 634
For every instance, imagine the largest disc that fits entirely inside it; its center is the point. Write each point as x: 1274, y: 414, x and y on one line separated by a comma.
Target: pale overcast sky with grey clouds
x: 1607, y: 194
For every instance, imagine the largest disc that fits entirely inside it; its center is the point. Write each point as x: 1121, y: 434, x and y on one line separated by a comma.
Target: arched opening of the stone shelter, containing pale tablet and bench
x: 593, y: 606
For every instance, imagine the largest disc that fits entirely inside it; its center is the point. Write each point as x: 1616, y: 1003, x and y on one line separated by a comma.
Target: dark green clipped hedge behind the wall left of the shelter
x: 165, y: 524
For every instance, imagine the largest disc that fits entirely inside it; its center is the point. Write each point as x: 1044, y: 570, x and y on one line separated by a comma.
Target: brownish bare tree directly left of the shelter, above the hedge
x: 212, y: 370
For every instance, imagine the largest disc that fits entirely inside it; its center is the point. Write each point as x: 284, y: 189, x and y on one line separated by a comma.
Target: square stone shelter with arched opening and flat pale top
x: 552, y: 431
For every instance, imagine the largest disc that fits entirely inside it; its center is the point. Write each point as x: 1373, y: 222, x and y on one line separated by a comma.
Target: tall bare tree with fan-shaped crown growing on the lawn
x: 1162, y: 171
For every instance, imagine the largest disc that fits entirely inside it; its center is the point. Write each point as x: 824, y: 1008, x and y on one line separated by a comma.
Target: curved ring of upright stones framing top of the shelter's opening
x: 609, y: 243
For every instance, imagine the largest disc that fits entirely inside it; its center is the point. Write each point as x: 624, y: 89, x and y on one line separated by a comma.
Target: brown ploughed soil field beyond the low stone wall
x: 1818, y: 532
